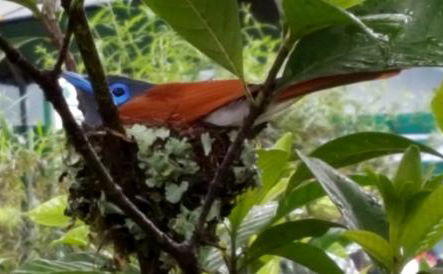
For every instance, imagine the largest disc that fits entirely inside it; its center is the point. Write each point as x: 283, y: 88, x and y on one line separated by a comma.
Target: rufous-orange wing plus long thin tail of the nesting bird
x: 181, y: 104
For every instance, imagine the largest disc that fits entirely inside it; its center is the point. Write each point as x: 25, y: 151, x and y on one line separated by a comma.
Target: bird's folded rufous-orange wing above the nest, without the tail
x: 180, y: 104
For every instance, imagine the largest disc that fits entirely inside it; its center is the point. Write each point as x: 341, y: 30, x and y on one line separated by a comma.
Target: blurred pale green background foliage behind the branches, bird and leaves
x: 134, y: 42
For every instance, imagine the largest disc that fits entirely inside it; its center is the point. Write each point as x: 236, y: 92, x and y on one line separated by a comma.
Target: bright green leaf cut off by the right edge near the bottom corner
x: 424, y: 226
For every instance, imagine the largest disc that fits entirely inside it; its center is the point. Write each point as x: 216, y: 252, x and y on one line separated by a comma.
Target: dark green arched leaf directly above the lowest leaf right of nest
x: 284, y: 233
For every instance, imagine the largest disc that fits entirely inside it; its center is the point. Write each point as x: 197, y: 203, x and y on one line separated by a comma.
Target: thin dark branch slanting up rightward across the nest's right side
x: 264, y: 97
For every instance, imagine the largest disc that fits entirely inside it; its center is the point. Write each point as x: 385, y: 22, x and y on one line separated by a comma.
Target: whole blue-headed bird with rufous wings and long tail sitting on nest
x: 182, y: 105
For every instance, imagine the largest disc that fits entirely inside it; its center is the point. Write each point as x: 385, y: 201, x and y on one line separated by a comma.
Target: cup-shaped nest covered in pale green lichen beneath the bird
x: 173, y: 174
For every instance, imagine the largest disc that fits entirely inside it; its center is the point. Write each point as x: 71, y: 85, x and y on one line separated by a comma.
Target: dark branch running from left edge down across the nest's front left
x: 53, y: 92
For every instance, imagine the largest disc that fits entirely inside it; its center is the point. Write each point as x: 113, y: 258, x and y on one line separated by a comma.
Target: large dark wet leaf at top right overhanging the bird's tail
x: 412, y: 27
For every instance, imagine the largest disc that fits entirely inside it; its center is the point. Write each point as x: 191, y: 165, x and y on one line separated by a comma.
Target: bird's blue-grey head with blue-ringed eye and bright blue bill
x: 122, y: 88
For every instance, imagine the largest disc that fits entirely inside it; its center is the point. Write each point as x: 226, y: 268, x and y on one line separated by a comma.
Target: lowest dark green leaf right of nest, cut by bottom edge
x: 309, y: 256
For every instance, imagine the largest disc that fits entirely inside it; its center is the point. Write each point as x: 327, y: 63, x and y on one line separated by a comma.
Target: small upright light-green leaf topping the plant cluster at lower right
x: 408, y: 179
